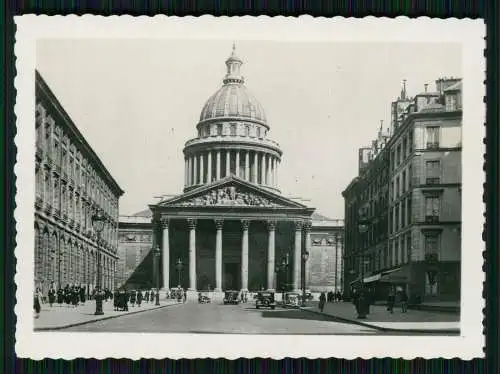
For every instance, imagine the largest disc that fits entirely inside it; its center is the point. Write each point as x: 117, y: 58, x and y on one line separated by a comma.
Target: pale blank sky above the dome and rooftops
x: 137, y: 101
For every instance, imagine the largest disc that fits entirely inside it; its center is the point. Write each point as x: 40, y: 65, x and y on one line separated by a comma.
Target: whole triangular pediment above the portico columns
x: 232, y: 192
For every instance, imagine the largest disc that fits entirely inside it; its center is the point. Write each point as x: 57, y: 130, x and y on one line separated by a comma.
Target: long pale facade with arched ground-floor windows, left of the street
x: 71, y: 185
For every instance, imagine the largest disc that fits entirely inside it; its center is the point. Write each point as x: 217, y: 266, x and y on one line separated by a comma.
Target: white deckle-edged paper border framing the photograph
x: 469, y: 33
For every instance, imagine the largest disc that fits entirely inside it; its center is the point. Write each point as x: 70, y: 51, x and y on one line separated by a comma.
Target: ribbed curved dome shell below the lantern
x: 233, y: 100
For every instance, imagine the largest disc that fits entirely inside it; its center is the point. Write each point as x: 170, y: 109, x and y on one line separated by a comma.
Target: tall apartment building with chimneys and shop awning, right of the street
x: 420, y: 170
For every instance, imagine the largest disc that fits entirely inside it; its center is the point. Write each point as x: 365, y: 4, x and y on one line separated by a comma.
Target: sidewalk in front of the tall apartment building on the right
x: 379, y: 318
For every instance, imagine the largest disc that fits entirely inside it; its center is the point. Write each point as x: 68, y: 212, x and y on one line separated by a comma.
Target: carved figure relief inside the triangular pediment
x: 229, y: 196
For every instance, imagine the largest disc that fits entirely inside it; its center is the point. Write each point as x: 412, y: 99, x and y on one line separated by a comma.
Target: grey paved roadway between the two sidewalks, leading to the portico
x: 216, y: 318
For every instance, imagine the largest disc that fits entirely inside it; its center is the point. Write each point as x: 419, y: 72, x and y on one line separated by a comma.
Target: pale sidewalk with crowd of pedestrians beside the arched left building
x: 61, y: 317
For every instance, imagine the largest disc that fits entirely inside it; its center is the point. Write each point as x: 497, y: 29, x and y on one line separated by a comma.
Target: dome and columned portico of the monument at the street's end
x: 231, y: 229
